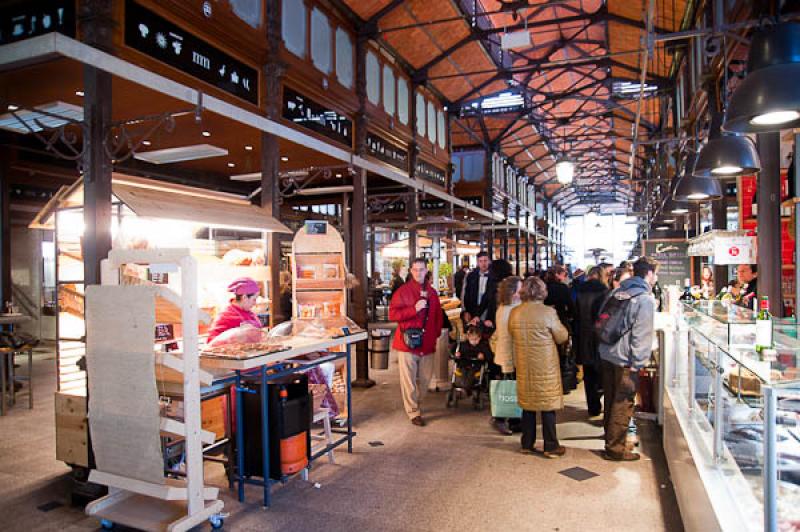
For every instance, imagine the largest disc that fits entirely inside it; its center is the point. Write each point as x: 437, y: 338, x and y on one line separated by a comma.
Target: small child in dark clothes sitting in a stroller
x: 472, y: 359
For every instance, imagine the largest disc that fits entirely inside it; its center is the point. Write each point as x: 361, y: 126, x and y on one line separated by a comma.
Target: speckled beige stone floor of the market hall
x: 454, y: 474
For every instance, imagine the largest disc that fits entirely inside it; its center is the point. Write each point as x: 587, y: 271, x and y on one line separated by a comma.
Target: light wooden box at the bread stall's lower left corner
x: 72, y: 430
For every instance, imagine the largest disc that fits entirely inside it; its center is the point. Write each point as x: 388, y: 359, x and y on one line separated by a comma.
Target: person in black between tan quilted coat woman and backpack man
x: 591, y: 294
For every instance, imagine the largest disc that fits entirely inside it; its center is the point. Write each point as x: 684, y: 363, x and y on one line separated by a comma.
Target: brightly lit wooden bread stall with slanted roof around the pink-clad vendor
x: 224, y: 232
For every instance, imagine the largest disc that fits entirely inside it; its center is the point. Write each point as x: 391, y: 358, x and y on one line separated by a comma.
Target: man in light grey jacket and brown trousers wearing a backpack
x: 622, y: 360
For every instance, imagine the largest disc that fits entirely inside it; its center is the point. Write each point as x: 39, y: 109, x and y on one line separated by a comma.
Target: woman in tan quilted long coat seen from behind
x: 535, y: 332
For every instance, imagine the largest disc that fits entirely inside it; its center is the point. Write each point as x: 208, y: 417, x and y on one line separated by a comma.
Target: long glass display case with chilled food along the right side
x: 739, y: 410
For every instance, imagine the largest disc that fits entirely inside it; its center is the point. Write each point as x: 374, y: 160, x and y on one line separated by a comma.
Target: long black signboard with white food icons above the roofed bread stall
x: 157, y: 37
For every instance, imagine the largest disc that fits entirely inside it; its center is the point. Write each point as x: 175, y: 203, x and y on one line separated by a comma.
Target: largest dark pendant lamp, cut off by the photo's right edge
x: 768, y: 99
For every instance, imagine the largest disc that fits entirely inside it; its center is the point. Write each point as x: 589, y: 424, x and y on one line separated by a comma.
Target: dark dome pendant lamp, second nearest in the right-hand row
x: 727, y: 156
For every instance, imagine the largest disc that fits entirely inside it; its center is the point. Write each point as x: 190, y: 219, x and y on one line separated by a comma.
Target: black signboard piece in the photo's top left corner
x: 29, y: 19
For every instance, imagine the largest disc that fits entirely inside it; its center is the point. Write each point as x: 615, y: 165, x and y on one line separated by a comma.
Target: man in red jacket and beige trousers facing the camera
x: 415, y: 305
